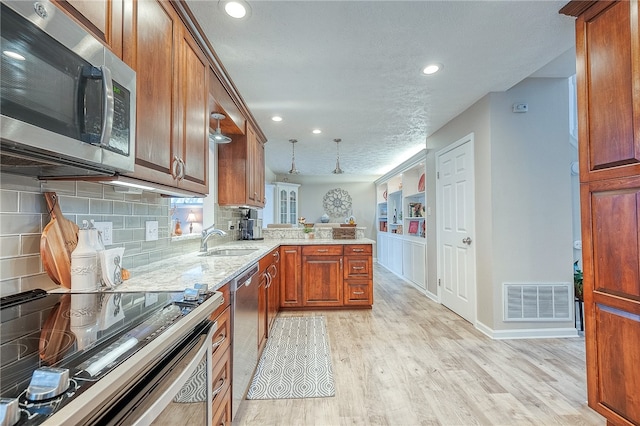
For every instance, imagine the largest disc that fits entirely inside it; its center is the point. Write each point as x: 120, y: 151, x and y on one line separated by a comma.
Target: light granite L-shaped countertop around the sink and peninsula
x: 185, y: 271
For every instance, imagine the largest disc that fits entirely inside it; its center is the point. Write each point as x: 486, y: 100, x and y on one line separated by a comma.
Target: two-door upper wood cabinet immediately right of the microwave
x: 172, y: 101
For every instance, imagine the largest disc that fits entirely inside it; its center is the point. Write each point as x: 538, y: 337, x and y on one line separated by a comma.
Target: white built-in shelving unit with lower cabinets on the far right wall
x: 401, y: 217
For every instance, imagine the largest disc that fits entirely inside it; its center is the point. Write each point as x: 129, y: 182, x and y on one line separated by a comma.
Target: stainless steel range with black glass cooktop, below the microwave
x: 102, y: 358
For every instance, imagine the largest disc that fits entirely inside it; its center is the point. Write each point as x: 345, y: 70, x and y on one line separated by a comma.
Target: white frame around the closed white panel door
x: 471, y: 140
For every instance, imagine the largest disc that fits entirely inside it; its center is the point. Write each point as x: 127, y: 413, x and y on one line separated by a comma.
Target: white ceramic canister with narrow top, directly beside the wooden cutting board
x: 84, y: 264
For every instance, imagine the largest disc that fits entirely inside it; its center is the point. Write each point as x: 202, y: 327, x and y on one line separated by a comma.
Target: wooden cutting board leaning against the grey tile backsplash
x: 58, y: 240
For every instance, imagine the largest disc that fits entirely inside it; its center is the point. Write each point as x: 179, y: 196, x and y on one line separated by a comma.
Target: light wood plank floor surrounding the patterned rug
x: 410, y: 361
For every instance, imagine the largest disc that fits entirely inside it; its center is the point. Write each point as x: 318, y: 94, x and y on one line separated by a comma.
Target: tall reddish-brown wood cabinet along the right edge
x: 608, y: 83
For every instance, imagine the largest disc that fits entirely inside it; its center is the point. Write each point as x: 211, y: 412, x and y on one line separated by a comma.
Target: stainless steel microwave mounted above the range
x: 68, y: 104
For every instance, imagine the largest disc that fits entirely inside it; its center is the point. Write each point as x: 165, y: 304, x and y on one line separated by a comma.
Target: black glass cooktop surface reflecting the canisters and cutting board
x: 54, y: 346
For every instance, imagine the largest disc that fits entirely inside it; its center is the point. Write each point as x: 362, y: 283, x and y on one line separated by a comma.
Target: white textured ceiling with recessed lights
x: 353, y: 69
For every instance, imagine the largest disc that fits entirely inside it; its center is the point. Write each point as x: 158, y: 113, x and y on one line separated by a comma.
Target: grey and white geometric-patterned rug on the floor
x: 296, y: 362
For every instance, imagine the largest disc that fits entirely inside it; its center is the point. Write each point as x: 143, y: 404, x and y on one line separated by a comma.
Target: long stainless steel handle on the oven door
x: 164, y: 393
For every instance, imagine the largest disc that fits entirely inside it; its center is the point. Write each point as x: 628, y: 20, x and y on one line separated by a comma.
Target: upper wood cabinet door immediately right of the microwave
x: 150, y: 50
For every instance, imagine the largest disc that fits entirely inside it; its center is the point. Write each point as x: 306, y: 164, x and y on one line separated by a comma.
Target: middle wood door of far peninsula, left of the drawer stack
x: 322, y: 280
